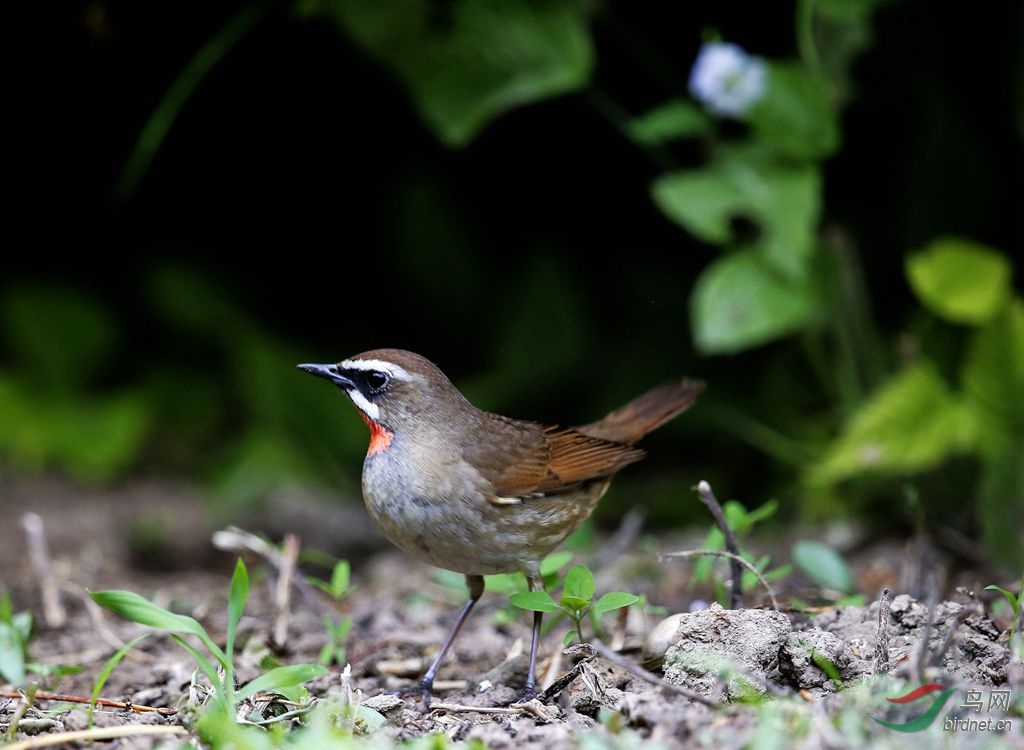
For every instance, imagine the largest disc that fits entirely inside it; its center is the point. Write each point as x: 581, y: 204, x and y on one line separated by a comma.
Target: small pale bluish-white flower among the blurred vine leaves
x: 728, y: 80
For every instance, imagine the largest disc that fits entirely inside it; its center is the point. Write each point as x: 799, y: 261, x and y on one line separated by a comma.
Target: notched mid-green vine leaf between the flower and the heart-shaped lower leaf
x: 784, y: 201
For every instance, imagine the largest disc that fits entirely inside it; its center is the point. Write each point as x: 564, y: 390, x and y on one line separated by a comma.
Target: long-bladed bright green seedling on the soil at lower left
x: 216, y: 663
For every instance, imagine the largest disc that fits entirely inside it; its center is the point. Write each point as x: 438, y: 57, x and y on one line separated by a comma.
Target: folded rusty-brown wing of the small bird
x: 537, y: 460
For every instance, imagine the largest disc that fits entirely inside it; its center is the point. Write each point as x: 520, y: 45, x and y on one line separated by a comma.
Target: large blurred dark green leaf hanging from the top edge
x: 466, y: 63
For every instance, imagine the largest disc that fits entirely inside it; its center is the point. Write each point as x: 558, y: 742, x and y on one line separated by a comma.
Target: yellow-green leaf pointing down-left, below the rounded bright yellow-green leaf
x: 911, y: 425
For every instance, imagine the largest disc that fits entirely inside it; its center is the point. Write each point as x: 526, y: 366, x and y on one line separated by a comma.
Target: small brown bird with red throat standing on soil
x: 479, y: 493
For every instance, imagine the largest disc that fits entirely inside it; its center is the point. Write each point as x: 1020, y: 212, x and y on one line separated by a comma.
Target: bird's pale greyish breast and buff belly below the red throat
x: 460, y: 530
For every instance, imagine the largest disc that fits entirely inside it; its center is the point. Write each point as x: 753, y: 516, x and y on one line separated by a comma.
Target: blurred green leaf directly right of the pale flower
x: 795, y: 115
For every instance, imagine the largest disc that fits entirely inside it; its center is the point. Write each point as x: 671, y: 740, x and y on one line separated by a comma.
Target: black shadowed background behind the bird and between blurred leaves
x: 300, y: 185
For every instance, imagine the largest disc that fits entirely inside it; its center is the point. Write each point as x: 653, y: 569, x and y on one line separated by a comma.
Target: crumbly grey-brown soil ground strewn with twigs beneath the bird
x: 155, y: 540
